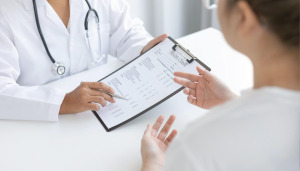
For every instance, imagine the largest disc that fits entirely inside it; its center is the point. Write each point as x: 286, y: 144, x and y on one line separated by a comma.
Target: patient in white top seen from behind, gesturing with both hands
x: 258, y: 131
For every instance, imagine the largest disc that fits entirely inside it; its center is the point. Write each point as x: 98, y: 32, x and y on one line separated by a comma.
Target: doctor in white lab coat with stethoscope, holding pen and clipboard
x: 42, y: 41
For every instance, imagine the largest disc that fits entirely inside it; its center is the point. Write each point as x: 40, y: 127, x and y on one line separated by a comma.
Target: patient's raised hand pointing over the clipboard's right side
x: 204, y: 90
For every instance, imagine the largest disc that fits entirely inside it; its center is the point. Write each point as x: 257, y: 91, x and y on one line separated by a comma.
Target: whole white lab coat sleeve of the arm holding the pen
x: 19, y: 102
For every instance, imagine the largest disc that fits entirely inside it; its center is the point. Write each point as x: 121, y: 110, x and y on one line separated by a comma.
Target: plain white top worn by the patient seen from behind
x: 258, y: 131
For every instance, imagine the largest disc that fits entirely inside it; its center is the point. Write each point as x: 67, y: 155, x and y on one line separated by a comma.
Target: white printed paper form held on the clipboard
x: 145, y: 82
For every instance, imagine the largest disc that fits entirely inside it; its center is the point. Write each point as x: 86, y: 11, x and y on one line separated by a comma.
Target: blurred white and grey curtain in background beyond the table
x: 175, y: 17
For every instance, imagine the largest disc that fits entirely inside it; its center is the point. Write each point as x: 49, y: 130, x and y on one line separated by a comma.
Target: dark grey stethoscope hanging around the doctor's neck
x: 58, y: 67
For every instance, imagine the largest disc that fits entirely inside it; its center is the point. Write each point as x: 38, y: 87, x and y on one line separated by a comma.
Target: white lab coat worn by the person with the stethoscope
x: 25, y: 66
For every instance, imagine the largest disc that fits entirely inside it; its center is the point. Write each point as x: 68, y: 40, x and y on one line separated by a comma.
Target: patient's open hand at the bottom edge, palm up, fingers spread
x: 155, y: 144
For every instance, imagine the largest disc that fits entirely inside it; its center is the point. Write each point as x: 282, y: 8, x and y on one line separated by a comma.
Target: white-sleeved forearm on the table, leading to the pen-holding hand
x: 30, y: 103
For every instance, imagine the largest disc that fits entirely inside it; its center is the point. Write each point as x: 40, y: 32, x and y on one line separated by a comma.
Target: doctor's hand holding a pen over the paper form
x: 85, y: 97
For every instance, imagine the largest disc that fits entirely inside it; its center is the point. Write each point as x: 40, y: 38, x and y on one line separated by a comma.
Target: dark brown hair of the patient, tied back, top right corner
x: 279, y: 16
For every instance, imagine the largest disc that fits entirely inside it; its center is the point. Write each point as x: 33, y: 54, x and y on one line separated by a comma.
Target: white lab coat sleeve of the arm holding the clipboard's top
x: 128, y: 35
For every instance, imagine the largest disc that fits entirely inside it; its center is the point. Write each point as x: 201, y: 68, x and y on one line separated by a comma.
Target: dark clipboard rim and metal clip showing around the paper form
x: 176, y: 48
